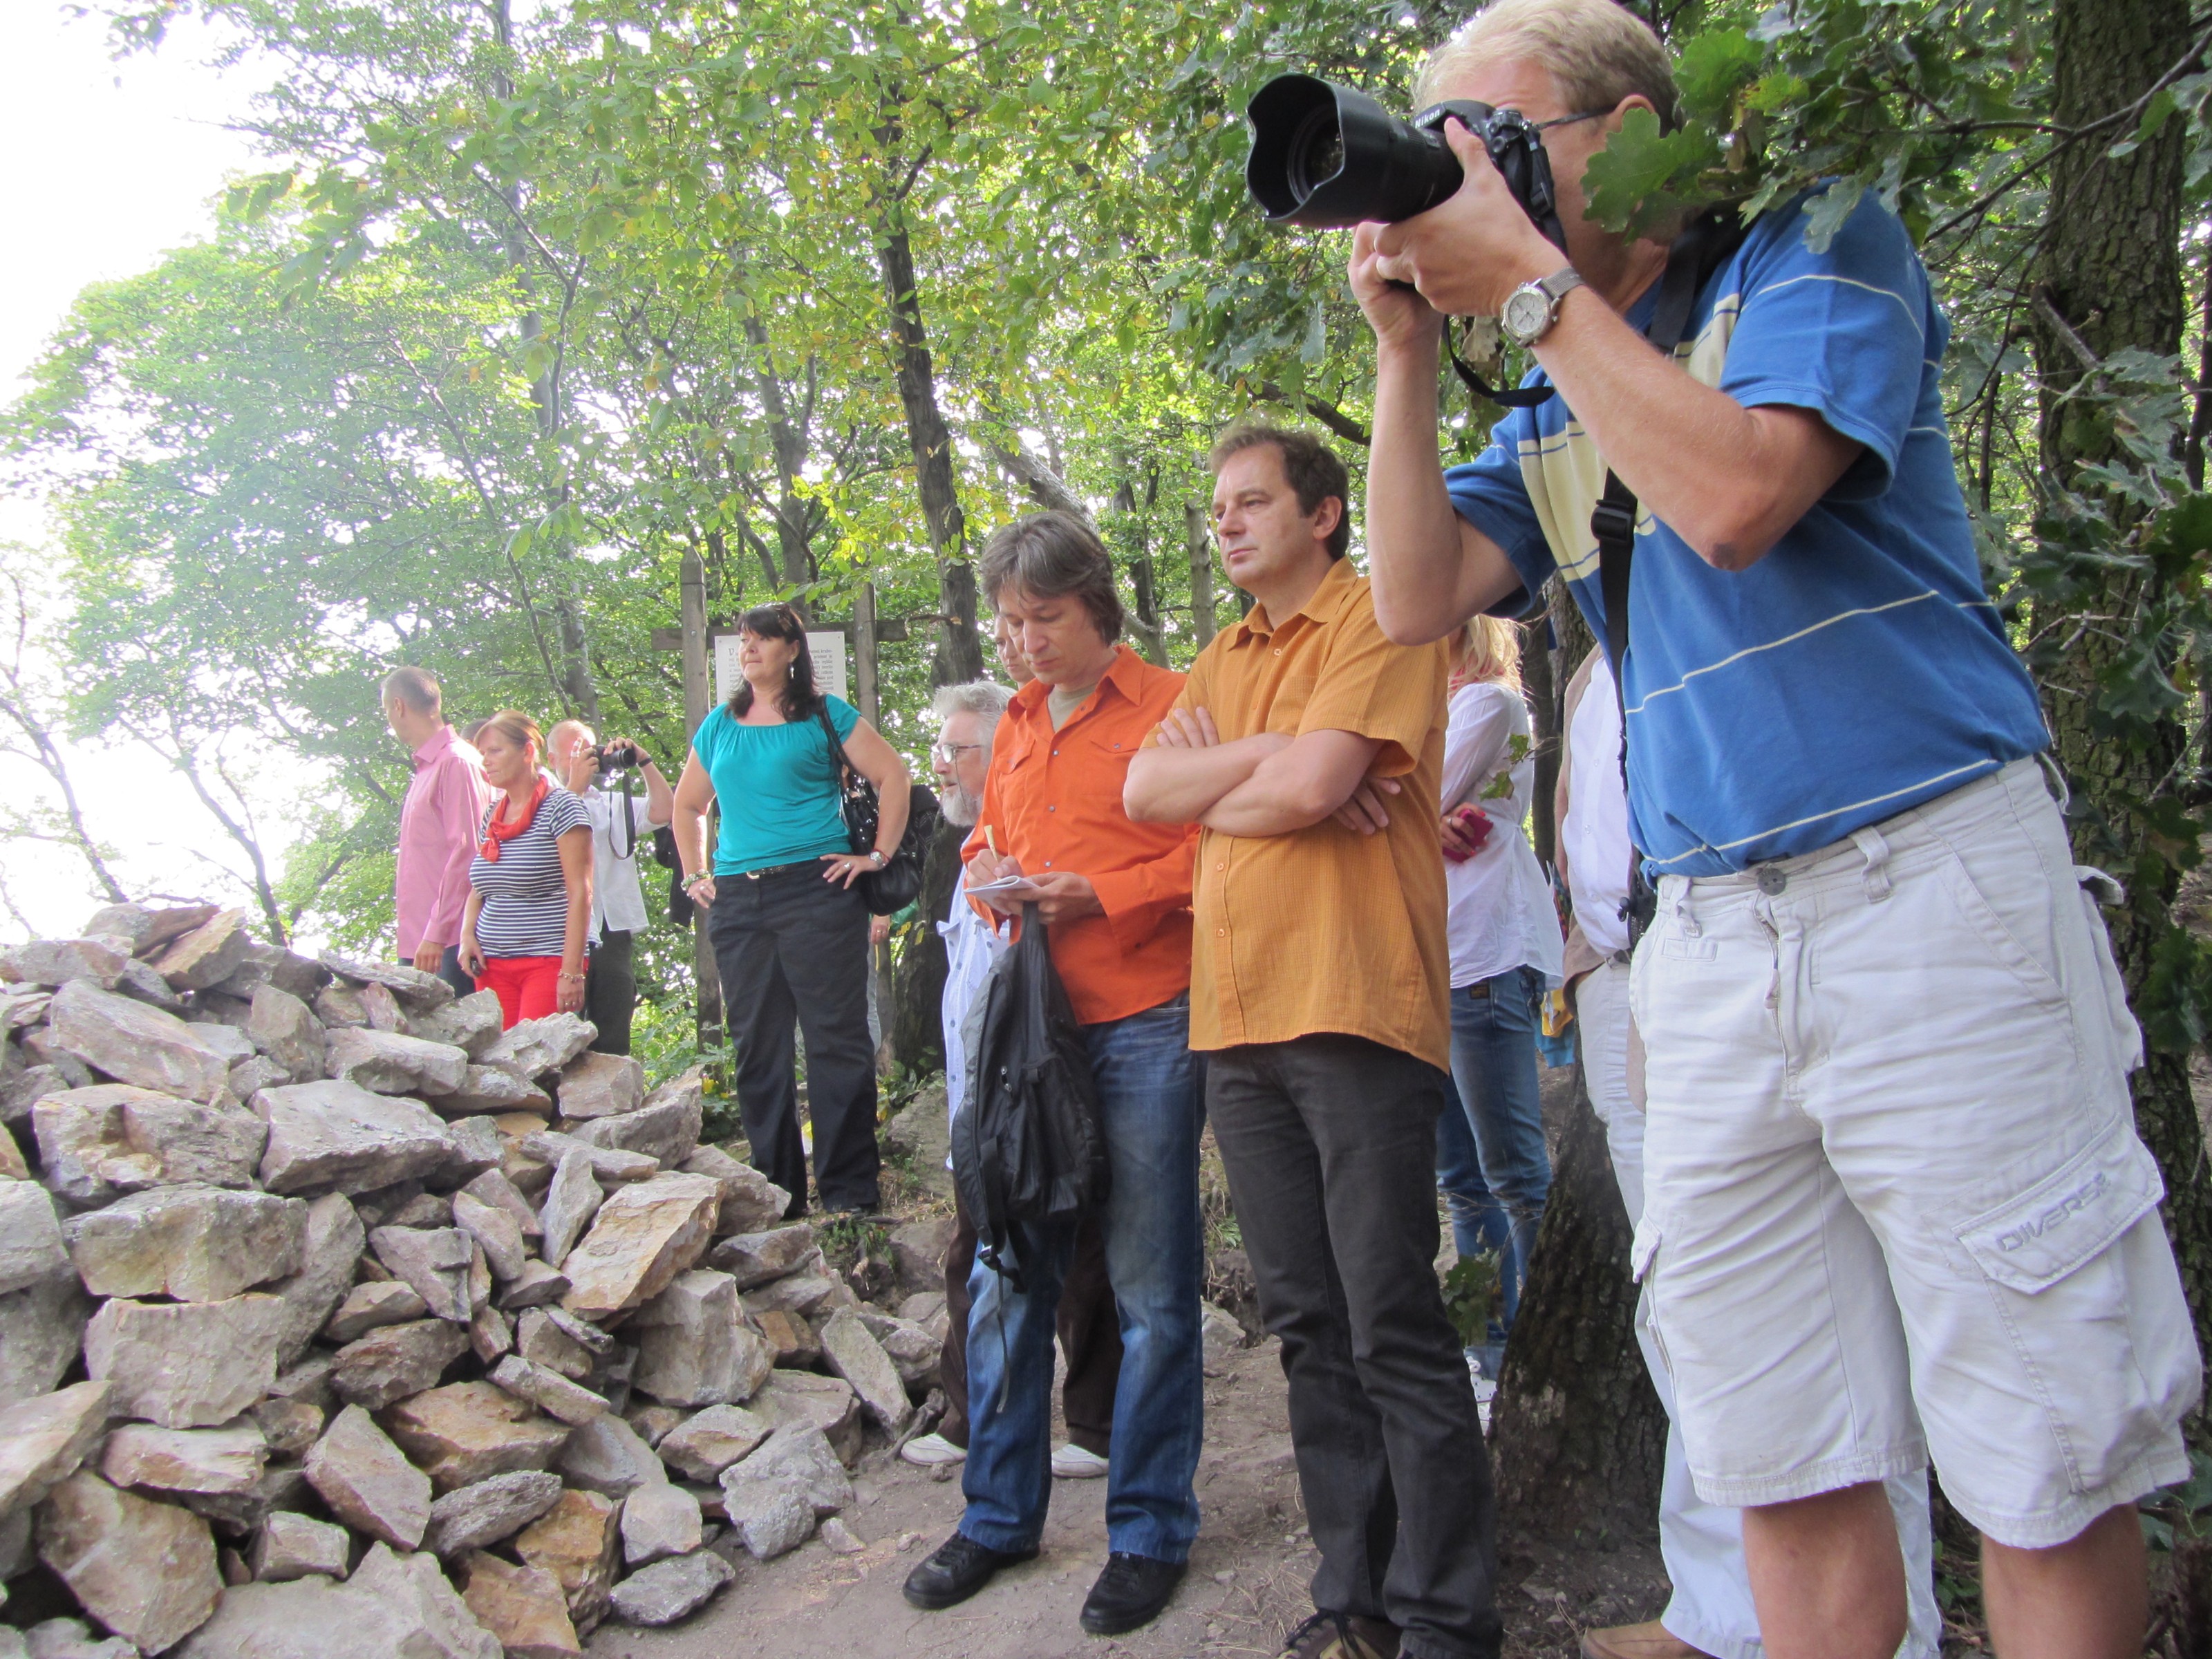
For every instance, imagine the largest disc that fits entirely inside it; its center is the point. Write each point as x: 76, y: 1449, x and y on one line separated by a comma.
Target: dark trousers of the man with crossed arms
x: 1331, y: 1154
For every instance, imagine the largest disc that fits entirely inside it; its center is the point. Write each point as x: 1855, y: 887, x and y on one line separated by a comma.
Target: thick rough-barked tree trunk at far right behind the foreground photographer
x: 2111, y: 280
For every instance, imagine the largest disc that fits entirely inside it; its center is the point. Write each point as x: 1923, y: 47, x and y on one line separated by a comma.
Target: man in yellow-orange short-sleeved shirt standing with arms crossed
x: 1319, y: 990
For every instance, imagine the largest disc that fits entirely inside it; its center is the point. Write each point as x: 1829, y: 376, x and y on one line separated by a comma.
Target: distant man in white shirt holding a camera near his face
x: 618, y: 904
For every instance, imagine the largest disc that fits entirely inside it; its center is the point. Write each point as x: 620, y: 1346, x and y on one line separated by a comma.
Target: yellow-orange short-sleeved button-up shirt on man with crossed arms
x: 1326, y: 930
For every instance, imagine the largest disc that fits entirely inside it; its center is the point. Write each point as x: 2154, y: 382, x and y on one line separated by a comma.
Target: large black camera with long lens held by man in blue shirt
x: 1326, y: 158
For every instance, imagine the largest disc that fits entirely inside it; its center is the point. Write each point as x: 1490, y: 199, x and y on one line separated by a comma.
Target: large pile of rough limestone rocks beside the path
x: 337, y: 1322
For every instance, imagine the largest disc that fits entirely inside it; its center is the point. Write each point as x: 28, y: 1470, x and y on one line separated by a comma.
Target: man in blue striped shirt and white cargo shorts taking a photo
x: 1895, y: 1198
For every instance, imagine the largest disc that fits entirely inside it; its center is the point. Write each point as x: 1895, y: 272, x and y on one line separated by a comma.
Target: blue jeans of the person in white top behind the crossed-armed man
x: 1494, y: 1065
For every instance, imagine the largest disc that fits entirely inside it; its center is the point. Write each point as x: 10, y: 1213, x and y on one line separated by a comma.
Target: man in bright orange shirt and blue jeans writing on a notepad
x: 1116, y: 897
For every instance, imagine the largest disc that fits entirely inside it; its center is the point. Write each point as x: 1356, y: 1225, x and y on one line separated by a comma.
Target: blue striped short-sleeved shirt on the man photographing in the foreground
x: 1859, y: 667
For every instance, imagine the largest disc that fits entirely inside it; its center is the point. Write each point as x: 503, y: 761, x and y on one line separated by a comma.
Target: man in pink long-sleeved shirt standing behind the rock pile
x: 439, y: 826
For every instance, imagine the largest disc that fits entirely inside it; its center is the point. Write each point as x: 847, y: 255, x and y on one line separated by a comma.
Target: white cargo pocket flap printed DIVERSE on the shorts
x: 2036, y: 1240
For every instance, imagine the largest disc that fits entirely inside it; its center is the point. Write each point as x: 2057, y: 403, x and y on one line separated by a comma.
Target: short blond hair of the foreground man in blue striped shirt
x: 1594, y: 52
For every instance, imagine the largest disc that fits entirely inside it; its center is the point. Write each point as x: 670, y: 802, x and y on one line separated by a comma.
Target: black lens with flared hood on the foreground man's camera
x: 1326, y: 158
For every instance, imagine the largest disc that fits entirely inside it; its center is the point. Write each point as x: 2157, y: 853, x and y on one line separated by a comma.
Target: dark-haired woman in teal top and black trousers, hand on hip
x: 784, y: 917
